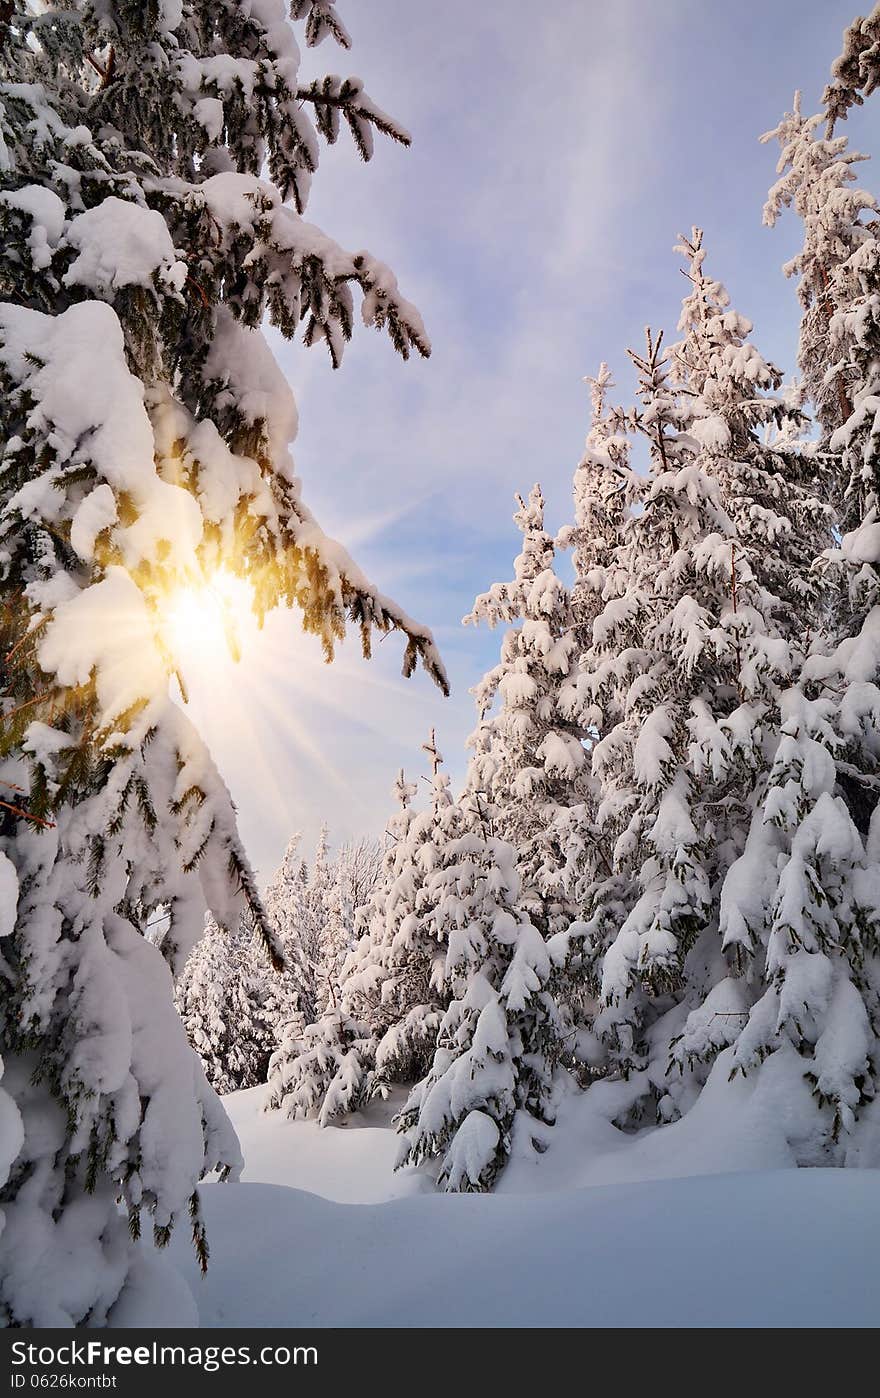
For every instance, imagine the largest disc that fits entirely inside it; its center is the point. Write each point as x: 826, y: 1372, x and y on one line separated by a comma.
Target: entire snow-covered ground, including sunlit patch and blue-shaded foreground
x: 322, y: 1232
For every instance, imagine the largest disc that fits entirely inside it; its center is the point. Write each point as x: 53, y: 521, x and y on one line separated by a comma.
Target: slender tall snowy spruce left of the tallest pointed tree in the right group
x: 609, y: 866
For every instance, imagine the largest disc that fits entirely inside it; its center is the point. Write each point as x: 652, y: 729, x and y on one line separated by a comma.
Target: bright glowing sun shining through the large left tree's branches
x: 204, y: 623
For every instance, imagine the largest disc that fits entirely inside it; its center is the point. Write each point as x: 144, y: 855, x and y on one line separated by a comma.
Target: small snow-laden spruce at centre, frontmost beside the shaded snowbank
x: 502, y: 1035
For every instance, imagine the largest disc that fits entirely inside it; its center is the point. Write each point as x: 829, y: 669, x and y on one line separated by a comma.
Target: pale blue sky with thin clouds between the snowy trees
x: 558, y: 152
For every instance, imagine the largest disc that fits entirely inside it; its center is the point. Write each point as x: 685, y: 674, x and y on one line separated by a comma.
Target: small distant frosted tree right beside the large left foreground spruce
x: 226, y: 1003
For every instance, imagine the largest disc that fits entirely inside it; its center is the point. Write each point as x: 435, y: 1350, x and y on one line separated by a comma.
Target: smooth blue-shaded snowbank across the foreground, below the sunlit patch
x: 781, y: 1249
